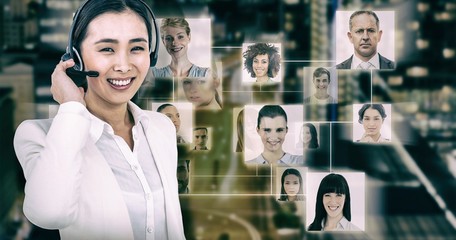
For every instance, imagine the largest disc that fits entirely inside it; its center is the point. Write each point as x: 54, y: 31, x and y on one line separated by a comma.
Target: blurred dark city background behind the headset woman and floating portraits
x: 410, y: 184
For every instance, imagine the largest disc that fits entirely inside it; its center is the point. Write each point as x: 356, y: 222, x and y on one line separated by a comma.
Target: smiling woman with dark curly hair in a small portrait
x: 262, y: 62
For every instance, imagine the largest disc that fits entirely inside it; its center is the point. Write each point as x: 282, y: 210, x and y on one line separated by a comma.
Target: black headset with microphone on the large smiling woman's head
x: 77, y: 73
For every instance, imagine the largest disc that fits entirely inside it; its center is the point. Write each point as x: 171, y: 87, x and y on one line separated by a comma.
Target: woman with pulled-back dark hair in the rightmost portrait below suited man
x: 372, y: 117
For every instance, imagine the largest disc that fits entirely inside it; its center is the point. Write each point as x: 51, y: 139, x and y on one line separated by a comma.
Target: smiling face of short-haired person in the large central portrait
x: 272, y: 132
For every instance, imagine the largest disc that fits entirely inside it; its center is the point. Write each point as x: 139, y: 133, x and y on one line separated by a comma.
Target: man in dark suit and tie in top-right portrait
x: 365, y: 34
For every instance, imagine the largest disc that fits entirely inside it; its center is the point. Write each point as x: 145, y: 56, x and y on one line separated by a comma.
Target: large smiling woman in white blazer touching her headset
x: 103, y: 168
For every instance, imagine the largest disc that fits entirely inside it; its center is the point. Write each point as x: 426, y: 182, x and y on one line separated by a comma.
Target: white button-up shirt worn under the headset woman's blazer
x: 136, y: 174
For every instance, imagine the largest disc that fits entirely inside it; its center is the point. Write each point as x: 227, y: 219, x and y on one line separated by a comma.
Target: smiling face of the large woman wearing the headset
x: 117, y: 47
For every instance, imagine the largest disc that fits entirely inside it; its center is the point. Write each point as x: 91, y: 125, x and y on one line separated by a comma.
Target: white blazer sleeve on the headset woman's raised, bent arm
x: 49, y: 152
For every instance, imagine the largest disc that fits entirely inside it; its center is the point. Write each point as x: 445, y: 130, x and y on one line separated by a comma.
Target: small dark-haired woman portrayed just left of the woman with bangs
x: 291, y: 186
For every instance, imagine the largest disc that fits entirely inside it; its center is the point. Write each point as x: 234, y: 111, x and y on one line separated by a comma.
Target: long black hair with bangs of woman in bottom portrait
x: 332, y: 183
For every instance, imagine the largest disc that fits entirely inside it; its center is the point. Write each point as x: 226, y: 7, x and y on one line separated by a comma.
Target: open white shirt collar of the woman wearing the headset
x: 97, y: 125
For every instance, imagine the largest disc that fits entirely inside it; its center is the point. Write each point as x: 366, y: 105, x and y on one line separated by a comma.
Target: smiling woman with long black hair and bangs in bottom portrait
x: 332, y: 205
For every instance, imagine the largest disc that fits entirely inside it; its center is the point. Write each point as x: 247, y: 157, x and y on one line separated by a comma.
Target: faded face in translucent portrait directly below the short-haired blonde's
x: 199, y: 91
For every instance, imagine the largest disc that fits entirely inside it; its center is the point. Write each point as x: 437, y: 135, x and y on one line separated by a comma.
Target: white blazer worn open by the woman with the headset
x: 71, y: 187
